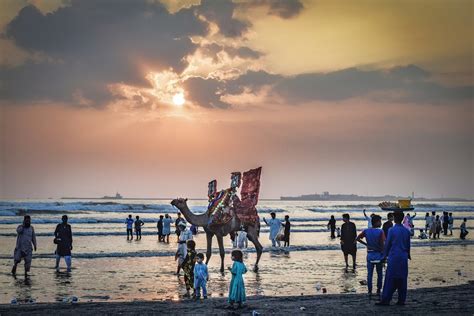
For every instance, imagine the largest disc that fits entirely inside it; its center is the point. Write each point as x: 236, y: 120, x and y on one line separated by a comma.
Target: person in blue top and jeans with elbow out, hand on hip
x: 375, y: 240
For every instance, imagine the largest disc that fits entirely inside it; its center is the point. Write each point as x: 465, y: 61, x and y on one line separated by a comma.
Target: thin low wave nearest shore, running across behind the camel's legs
x: 428, y: 243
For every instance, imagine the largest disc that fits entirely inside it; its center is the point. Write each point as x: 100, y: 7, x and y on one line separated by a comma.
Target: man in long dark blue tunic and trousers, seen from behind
x: 397, y: 249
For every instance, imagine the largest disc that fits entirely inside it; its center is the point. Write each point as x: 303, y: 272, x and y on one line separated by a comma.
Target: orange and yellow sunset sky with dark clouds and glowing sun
x: 156, y: 98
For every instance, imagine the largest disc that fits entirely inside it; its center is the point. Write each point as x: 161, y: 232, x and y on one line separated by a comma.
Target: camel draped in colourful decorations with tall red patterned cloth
x: 227, y: 214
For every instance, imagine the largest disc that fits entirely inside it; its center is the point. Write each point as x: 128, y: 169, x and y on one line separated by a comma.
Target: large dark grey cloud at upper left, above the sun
x: 91, y: 44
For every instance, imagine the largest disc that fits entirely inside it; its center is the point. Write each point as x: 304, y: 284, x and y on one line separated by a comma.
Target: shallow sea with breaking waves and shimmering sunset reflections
x: 108, y: 267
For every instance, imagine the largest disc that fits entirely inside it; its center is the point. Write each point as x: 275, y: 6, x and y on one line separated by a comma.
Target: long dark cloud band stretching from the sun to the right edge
x: 400, y: 84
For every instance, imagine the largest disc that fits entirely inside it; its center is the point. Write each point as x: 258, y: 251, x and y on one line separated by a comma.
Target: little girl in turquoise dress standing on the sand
x: 237, y: 287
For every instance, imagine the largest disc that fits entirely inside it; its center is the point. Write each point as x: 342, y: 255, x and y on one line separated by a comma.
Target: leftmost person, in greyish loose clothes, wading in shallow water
x: 25, y: 243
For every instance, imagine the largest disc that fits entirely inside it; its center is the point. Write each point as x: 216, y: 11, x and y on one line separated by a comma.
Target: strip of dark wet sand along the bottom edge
x: 452, y: 300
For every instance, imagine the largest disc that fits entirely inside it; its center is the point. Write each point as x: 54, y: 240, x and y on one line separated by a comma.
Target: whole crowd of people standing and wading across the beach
x: 386, y: 243
